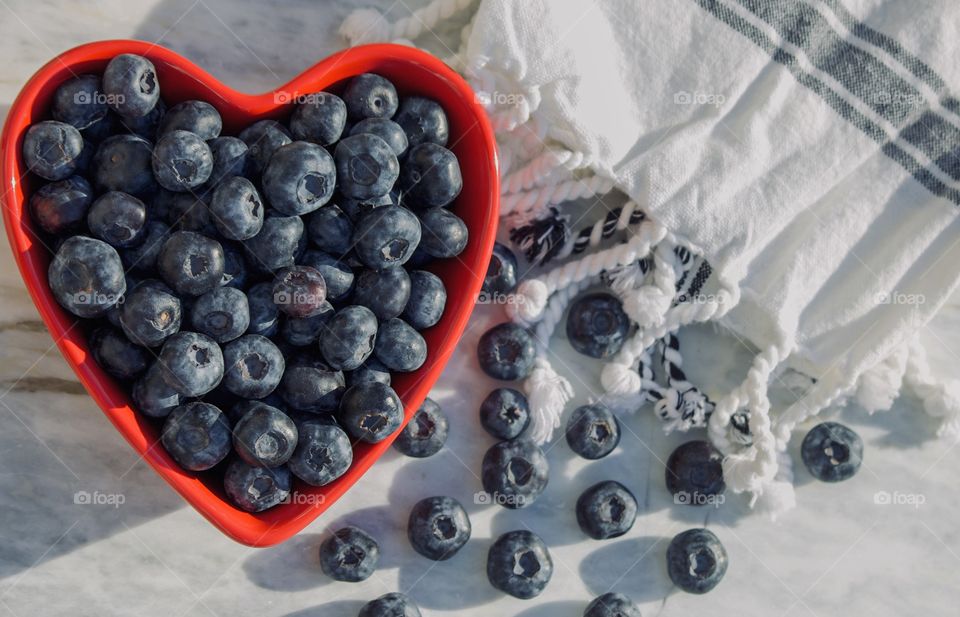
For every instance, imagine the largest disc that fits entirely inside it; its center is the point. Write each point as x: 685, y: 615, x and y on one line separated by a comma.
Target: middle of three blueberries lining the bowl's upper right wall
x: 431, y: 175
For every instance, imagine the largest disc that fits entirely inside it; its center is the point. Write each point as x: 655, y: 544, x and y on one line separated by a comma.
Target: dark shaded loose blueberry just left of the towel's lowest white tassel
x: 694, y: 473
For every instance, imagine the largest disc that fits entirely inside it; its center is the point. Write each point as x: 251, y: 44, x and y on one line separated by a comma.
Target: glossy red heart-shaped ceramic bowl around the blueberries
x: 413, y: 72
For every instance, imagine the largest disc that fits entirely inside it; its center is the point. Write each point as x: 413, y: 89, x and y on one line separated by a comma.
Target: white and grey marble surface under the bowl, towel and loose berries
x: 838, y: 553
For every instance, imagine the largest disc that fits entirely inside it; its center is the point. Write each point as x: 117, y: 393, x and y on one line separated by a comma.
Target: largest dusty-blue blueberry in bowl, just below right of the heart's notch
x: 299, y: 178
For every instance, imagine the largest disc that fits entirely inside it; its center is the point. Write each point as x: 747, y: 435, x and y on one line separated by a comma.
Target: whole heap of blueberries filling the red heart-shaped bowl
x: 256, y: 292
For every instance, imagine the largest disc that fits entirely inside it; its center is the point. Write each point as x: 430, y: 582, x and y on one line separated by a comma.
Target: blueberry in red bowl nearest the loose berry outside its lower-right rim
x: 371, y: 411
